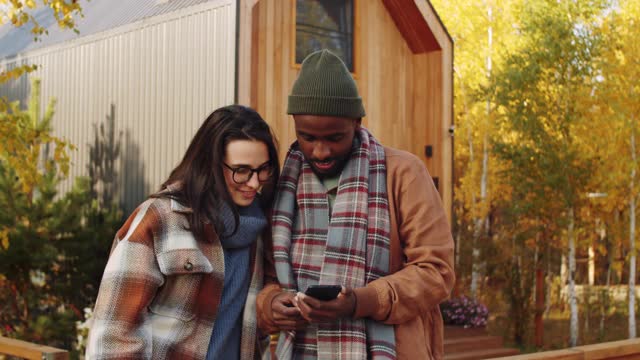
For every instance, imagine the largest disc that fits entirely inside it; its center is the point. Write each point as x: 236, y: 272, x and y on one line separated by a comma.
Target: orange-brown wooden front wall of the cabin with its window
x: 398, y: 51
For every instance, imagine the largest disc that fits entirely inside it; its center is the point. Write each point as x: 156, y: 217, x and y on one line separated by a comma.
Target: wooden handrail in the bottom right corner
x: 615, y: 350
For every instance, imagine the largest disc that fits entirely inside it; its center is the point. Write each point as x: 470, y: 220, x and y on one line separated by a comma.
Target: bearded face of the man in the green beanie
x: 325, y: 141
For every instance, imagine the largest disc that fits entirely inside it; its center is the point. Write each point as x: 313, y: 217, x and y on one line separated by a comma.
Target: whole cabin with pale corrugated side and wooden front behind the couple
x: 159, y: 67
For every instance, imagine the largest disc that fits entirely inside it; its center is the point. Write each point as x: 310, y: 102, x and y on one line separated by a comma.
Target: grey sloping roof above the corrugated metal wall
x: 99, y: 16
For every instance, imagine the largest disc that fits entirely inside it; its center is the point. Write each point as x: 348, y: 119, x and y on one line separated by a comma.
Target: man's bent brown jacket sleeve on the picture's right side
x: 426, y: 276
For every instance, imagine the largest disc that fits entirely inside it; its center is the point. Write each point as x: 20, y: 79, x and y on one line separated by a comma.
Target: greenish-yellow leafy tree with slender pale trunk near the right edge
x: 541, y: 90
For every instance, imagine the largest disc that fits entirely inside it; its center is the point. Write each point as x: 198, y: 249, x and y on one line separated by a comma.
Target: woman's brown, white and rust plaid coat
x: 161, y: 290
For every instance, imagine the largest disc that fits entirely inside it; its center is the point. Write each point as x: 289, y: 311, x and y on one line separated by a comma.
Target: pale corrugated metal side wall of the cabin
x: 163, y: 77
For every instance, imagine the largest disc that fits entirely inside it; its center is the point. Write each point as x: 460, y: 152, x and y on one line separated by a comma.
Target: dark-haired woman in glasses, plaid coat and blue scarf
x: 185, y: 268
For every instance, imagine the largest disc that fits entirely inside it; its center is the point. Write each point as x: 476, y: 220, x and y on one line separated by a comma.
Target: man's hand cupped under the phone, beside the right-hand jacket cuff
x: 316, y: 311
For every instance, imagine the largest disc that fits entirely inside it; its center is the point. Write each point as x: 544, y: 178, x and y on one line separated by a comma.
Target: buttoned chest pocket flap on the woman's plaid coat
x: 184, y: 261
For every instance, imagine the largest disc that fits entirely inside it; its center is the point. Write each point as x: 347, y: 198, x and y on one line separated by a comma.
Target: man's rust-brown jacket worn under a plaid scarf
x: 421, y: 264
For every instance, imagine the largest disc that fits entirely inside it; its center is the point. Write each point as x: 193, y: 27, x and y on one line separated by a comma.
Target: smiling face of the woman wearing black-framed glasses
x: 250, y: 160
